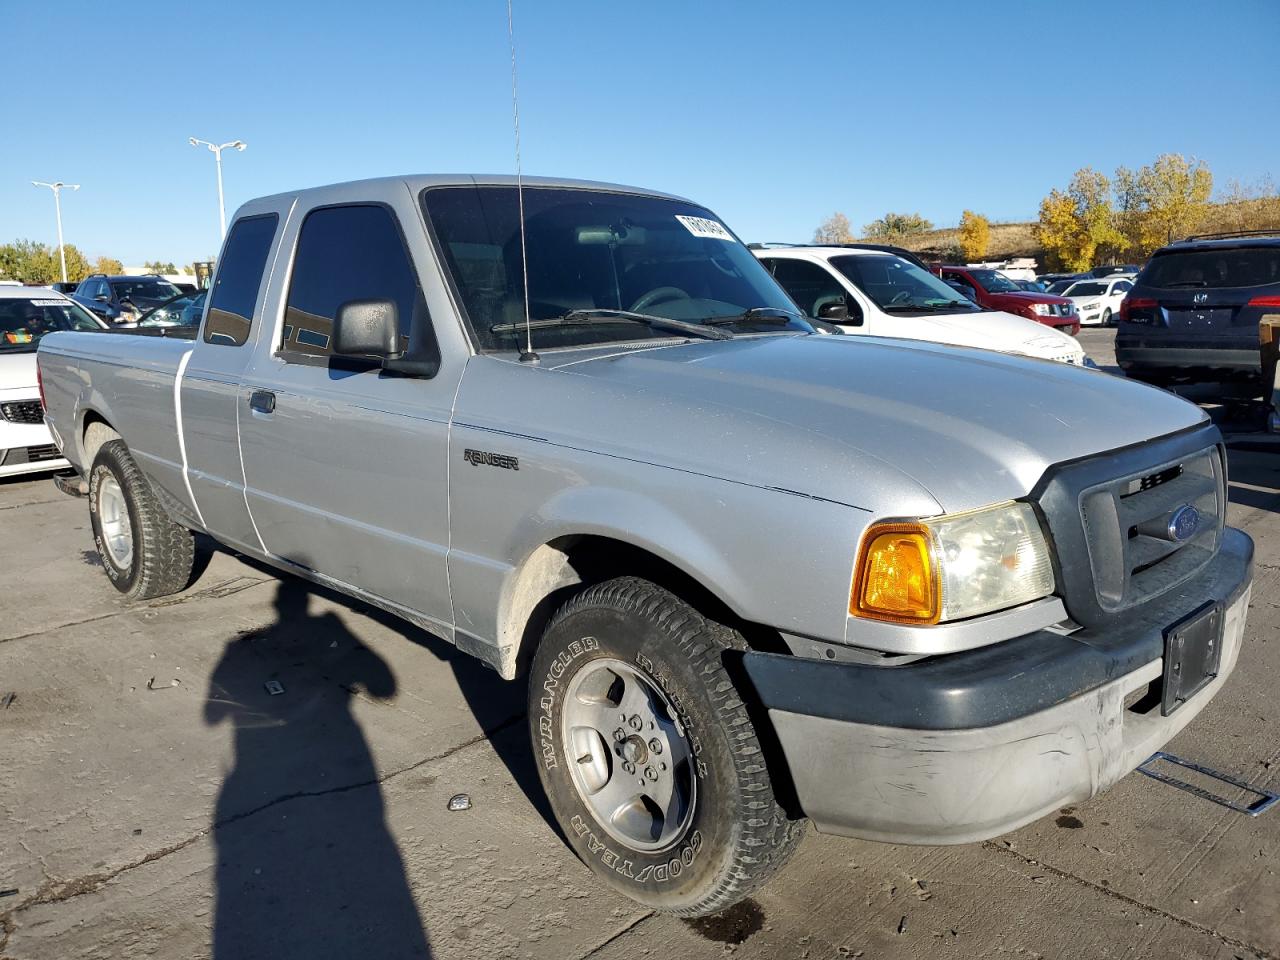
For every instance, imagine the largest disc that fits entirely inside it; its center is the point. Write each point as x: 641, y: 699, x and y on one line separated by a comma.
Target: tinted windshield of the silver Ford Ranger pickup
x: 598, y: 252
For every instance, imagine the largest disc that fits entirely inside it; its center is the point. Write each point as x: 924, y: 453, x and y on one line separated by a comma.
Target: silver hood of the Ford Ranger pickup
x: 893, y: 427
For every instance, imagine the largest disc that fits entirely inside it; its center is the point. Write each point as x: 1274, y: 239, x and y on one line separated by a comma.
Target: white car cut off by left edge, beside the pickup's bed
x: 28, y: 314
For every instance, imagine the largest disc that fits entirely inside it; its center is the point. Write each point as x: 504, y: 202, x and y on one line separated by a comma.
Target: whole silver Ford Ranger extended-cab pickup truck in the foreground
x: 753, y: 575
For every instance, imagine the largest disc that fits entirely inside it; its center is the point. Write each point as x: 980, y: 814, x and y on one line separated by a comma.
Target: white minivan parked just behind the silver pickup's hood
x: 874, y: 291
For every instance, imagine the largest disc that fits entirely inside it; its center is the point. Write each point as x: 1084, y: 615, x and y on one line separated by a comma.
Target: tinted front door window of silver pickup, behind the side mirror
x: 349, y: 253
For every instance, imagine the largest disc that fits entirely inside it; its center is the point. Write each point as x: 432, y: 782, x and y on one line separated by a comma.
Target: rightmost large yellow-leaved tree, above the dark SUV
x: 1163, y: 202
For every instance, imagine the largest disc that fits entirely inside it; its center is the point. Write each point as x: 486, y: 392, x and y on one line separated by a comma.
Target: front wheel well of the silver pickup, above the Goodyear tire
x: 557, y: 570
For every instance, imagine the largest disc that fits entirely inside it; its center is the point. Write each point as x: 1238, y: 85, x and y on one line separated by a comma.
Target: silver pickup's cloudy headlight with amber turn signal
x: 952, y: 568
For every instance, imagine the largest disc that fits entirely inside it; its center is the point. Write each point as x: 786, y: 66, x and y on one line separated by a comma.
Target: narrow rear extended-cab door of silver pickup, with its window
x: 212, y: 380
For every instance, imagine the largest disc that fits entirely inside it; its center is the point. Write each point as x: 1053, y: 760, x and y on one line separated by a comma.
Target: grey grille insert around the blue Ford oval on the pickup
x: 1132, y: 555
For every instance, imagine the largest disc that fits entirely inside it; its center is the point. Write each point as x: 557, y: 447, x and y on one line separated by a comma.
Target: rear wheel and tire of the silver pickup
x: 144, y: 554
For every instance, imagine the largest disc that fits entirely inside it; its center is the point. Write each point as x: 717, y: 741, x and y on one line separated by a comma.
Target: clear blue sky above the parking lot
x: 774, y: 115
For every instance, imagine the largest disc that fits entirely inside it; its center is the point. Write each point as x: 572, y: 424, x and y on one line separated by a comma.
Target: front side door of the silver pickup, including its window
x: 345, y: 464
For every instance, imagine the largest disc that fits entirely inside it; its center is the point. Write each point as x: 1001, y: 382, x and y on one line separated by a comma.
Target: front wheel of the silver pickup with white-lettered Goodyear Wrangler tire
x: 648, y: 756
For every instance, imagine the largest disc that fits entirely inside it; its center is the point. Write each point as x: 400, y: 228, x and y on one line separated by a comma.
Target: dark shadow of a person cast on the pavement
x: 307, y: 865
